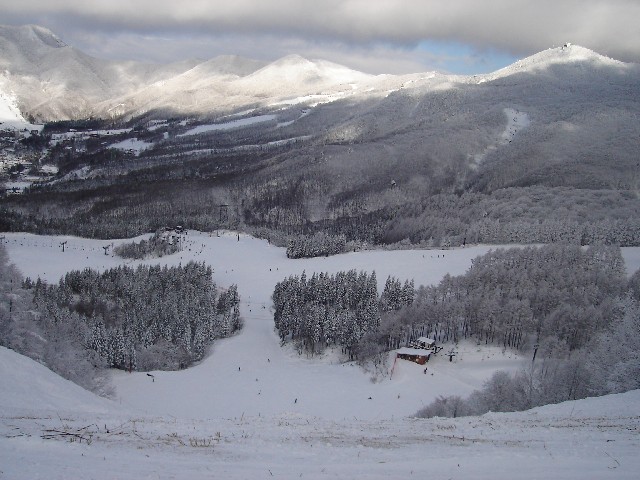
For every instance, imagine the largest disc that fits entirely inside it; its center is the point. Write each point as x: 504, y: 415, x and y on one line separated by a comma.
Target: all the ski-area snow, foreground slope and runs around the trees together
x: 254, y: 409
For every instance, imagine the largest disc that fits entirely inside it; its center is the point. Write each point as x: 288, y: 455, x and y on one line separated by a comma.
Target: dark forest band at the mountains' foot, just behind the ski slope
x: 287, y: 214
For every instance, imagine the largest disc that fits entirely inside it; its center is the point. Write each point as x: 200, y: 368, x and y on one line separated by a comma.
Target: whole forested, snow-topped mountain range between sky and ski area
x: 541, y: 151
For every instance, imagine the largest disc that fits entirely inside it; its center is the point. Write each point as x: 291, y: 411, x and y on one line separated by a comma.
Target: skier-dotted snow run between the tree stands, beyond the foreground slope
x: 250, y: 373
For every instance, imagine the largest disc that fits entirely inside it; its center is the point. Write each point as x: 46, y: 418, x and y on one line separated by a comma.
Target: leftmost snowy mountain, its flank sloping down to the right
x: 53, y: 81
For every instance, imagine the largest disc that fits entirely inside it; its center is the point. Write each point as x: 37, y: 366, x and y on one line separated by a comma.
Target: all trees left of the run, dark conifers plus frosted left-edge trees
x: 146, y: 318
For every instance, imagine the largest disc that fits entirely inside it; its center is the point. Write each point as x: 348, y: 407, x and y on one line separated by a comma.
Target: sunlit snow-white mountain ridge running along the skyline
x: 54, y: 81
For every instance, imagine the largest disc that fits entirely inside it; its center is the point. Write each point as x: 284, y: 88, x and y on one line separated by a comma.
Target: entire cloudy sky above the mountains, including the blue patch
x: 374, y: 36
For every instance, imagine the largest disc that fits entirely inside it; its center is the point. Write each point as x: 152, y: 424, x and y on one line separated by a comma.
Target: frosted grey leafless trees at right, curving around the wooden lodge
x: 572, y: 309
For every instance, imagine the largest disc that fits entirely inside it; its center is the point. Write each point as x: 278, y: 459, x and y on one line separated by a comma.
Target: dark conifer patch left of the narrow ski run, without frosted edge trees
x: 146, y: 318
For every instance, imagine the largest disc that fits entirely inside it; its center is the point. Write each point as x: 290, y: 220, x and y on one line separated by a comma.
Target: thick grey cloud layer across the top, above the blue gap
x: 518, y: 27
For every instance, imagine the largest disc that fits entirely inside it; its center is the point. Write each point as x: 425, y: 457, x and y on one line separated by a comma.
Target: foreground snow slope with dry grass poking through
x: 57, y: 437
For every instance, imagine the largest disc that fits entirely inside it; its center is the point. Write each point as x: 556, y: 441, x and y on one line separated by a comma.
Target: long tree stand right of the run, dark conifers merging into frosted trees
x: 557, y: 301
